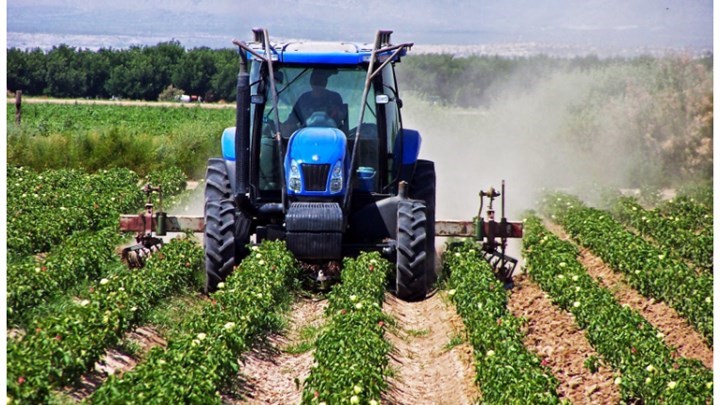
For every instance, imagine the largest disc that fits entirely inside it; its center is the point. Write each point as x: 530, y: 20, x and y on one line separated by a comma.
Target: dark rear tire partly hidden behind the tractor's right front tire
x: 422, y: 187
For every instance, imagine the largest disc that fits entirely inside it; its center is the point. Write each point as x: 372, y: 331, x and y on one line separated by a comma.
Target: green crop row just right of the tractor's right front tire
x: 506, y: 371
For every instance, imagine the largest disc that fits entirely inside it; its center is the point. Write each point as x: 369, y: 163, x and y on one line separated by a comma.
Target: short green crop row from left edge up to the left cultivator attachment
x: 85, y: 255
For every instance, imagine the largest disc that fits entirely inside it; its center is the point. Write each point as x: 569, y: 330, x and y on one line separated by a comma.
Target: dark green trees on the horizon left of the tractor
x: 140, y: 72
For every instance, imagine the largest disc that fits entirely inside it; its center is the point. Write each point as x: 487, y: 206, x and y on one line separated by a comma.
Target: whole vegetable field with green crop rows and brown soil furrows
x: 612, y: 304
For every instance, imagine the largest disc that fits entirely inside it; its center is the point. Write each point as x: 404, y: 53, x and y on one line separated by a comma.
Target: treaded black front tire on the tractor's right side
x: 411, y: 251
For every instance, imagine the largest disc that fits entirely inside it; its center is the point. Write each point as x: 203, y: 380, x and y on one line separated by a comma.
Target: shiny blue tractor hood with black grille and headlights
x: 315, y: 162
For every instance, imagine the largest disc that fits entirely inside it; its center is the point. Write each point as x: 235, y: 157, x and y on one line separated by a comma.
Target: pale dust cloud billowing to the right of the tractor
x: 522, y: 137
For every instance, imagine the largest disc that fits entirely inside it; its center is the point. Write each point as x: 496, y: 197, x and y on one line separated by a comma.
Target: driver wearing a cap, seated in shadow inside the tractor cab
x: 318, y: 100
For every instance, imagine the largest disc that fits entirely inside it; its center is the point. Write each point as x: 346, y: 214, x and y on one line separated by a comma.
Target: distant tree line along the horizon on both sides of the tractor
x: 146, y: 72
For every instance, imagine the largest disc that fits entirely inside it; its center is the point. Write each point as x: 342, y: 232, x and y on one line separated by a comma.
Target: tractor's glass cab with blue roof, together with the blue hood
x: 319, y: 117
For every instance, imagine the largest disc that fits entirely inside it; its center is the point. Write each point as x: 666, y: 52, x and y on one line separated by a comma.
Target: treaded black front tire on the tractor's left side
x: 219, y: 242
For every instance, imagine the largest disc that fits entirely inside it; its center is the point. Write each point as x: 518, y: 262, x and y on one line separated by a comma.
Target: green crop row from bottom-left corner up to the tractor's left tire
x: 55, y: 350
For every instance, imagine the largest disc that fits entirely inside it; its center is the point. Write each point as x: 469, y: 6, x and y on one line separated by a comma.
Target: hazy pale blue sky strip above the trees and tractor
x: 604, y: 23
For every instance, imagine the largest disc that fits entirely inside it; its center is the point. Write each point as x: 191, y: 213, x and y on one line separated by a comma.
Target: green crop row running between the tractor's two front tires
x: 351, y: 354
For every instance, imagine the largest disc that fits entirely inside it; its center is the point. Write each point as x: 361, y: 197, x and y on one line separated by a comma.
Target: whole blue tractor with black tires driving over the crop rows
x: 319, y: 158
